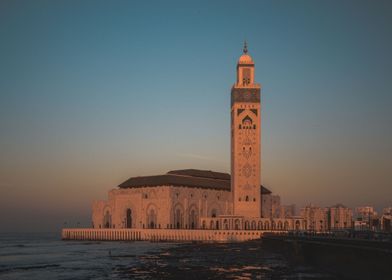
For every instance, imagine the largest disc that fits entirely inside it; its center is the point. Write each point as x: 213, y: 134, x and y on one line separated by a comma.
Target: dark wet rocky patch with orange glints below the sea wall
x: 246, y: 260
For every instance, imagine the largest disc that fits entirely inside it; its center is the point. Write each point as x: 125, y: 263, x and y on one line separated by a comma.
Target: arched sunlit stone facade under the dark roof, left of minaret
x: 166, y: 207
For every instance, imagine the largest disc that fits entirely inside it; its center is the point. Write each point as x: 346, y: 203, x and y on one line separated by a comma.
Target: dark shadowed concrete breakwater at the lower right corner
x: 349, y: 258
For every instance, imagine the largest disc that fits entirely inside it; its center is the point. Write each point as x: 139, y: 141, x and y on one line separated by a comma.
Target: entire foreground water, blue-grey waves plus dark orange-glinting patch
x: 45, y: 256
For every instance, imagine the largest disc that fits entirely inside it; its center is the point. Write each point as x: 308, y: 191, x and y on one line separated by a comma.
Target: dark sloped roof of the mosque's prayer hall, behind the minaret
x: 187, y: 178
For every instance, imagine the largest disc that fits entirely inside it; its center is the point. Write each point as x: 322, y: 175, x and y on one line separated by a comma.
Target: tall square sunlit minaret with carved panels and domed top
x: 245, y: 139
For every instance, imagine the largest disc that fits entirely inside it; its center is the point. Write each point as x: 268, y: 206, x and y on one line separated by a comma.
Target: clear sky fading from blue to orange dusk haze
x: 95, y: 92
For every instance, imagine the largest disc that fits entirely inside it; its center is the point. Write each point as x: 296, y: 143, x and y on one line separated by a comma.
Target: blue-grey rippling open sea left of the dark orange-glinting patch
x: 46, y: 256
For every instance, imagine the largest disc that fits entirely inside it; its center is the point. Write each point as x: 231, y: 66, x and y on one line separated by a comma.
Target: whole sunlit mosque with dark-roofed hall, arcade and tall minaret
x: 189, y: 199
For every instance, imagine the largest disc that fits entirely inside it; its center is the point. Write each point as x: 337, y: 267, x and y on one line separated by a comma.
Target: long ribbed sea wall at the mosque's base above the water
x: 162, y: 234
